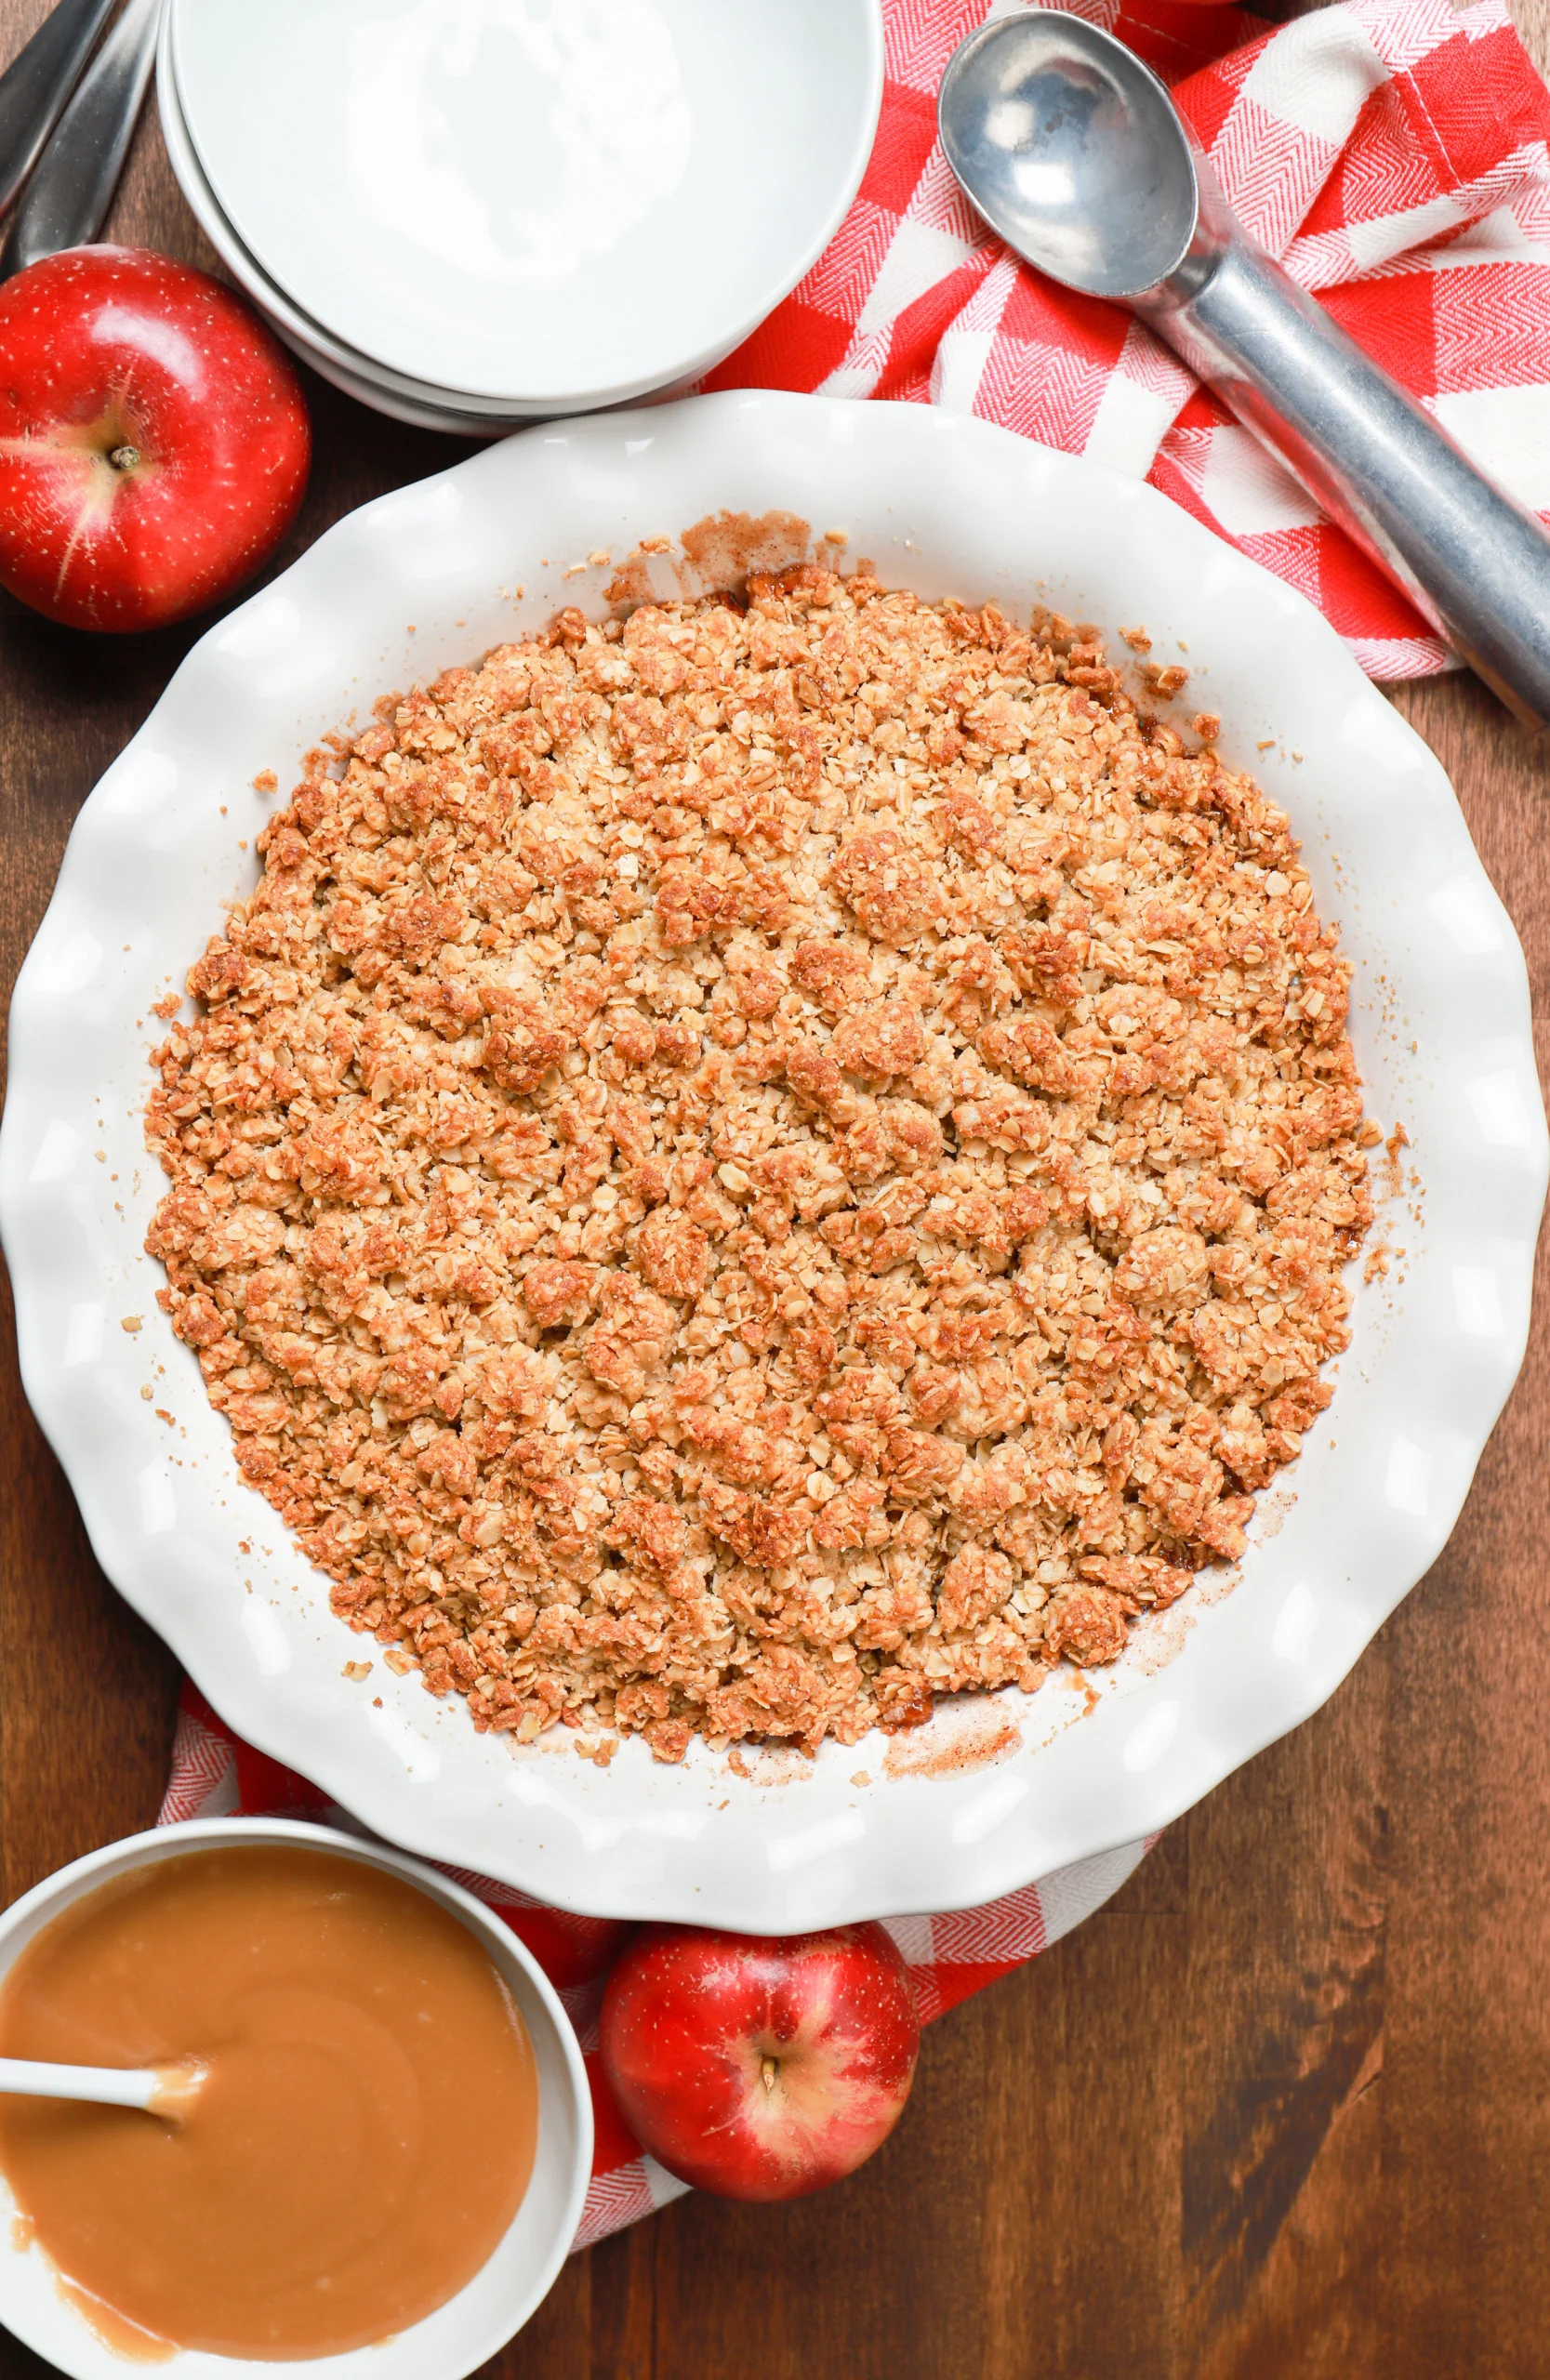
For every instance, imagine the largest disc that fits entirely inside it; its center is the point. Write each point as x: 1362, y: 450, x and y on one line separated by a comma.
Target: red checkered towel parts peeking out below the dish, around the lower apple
x: 215, y: 1774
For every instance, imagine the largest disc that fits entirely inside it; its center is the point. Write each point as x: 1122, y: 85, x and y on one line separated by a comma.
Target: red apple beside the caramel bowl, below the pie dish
x: 761, y: 2067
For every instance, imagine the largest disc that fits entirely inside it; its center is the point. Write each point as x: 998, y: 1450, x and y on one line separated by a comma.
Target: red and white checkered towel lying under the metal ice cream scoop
x: 1396, y: 158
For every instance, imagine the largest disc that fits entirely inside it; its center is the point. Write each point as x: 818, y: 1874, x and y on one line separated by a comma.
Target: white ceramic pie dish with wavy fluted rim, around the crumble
x: 989, y: 1796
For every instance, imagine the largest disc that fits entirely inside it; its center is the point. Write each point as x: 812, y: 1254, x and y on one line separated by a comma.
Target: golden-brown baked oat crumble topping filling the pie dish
x: 758, y: 1165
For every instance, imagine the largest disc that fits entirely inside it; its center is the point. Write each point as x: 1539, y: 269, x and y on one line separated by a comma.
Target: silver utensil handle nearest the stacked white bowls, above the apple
x: 73, y: 184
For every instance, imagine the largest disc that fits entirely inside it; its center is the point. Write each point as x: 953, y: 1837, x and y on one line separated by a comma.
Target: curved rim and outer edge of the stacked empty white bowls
x: 677, y: 370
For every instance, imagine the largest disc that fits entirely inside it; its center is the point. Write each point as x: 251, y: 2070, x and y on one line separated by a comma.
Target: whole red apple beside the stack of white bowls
x: 154, y: 439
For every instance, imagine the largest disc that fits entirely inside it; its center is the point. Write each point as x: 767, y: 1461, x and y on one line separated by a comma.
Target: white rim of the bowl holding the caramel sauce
x: 499, y: 1941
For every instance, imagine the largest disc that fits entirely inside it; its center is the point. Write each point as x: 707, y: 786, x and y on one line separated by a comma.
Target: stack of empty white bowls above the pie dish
x: 482, y: 213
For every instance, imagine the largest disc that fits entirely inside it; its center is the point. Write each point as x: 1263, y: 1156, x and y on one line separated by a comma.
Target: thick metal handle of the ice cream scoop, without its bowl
x: 1473, y: 560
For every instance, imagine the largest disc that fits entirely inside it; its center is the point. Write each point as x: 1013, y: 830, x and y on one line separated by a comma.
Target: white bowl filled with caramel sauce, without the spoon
x: 382, y: 2153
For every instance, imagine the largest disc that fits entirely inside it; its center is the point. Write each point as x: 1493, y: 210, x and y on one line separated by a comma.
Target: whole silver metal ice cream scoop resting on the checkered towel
x: 1077, y: 156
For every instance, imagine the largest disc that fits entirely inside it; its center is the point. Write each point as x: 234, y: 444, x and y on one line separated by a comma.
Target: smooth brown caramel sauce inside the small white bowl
x: 363, y: 2136
